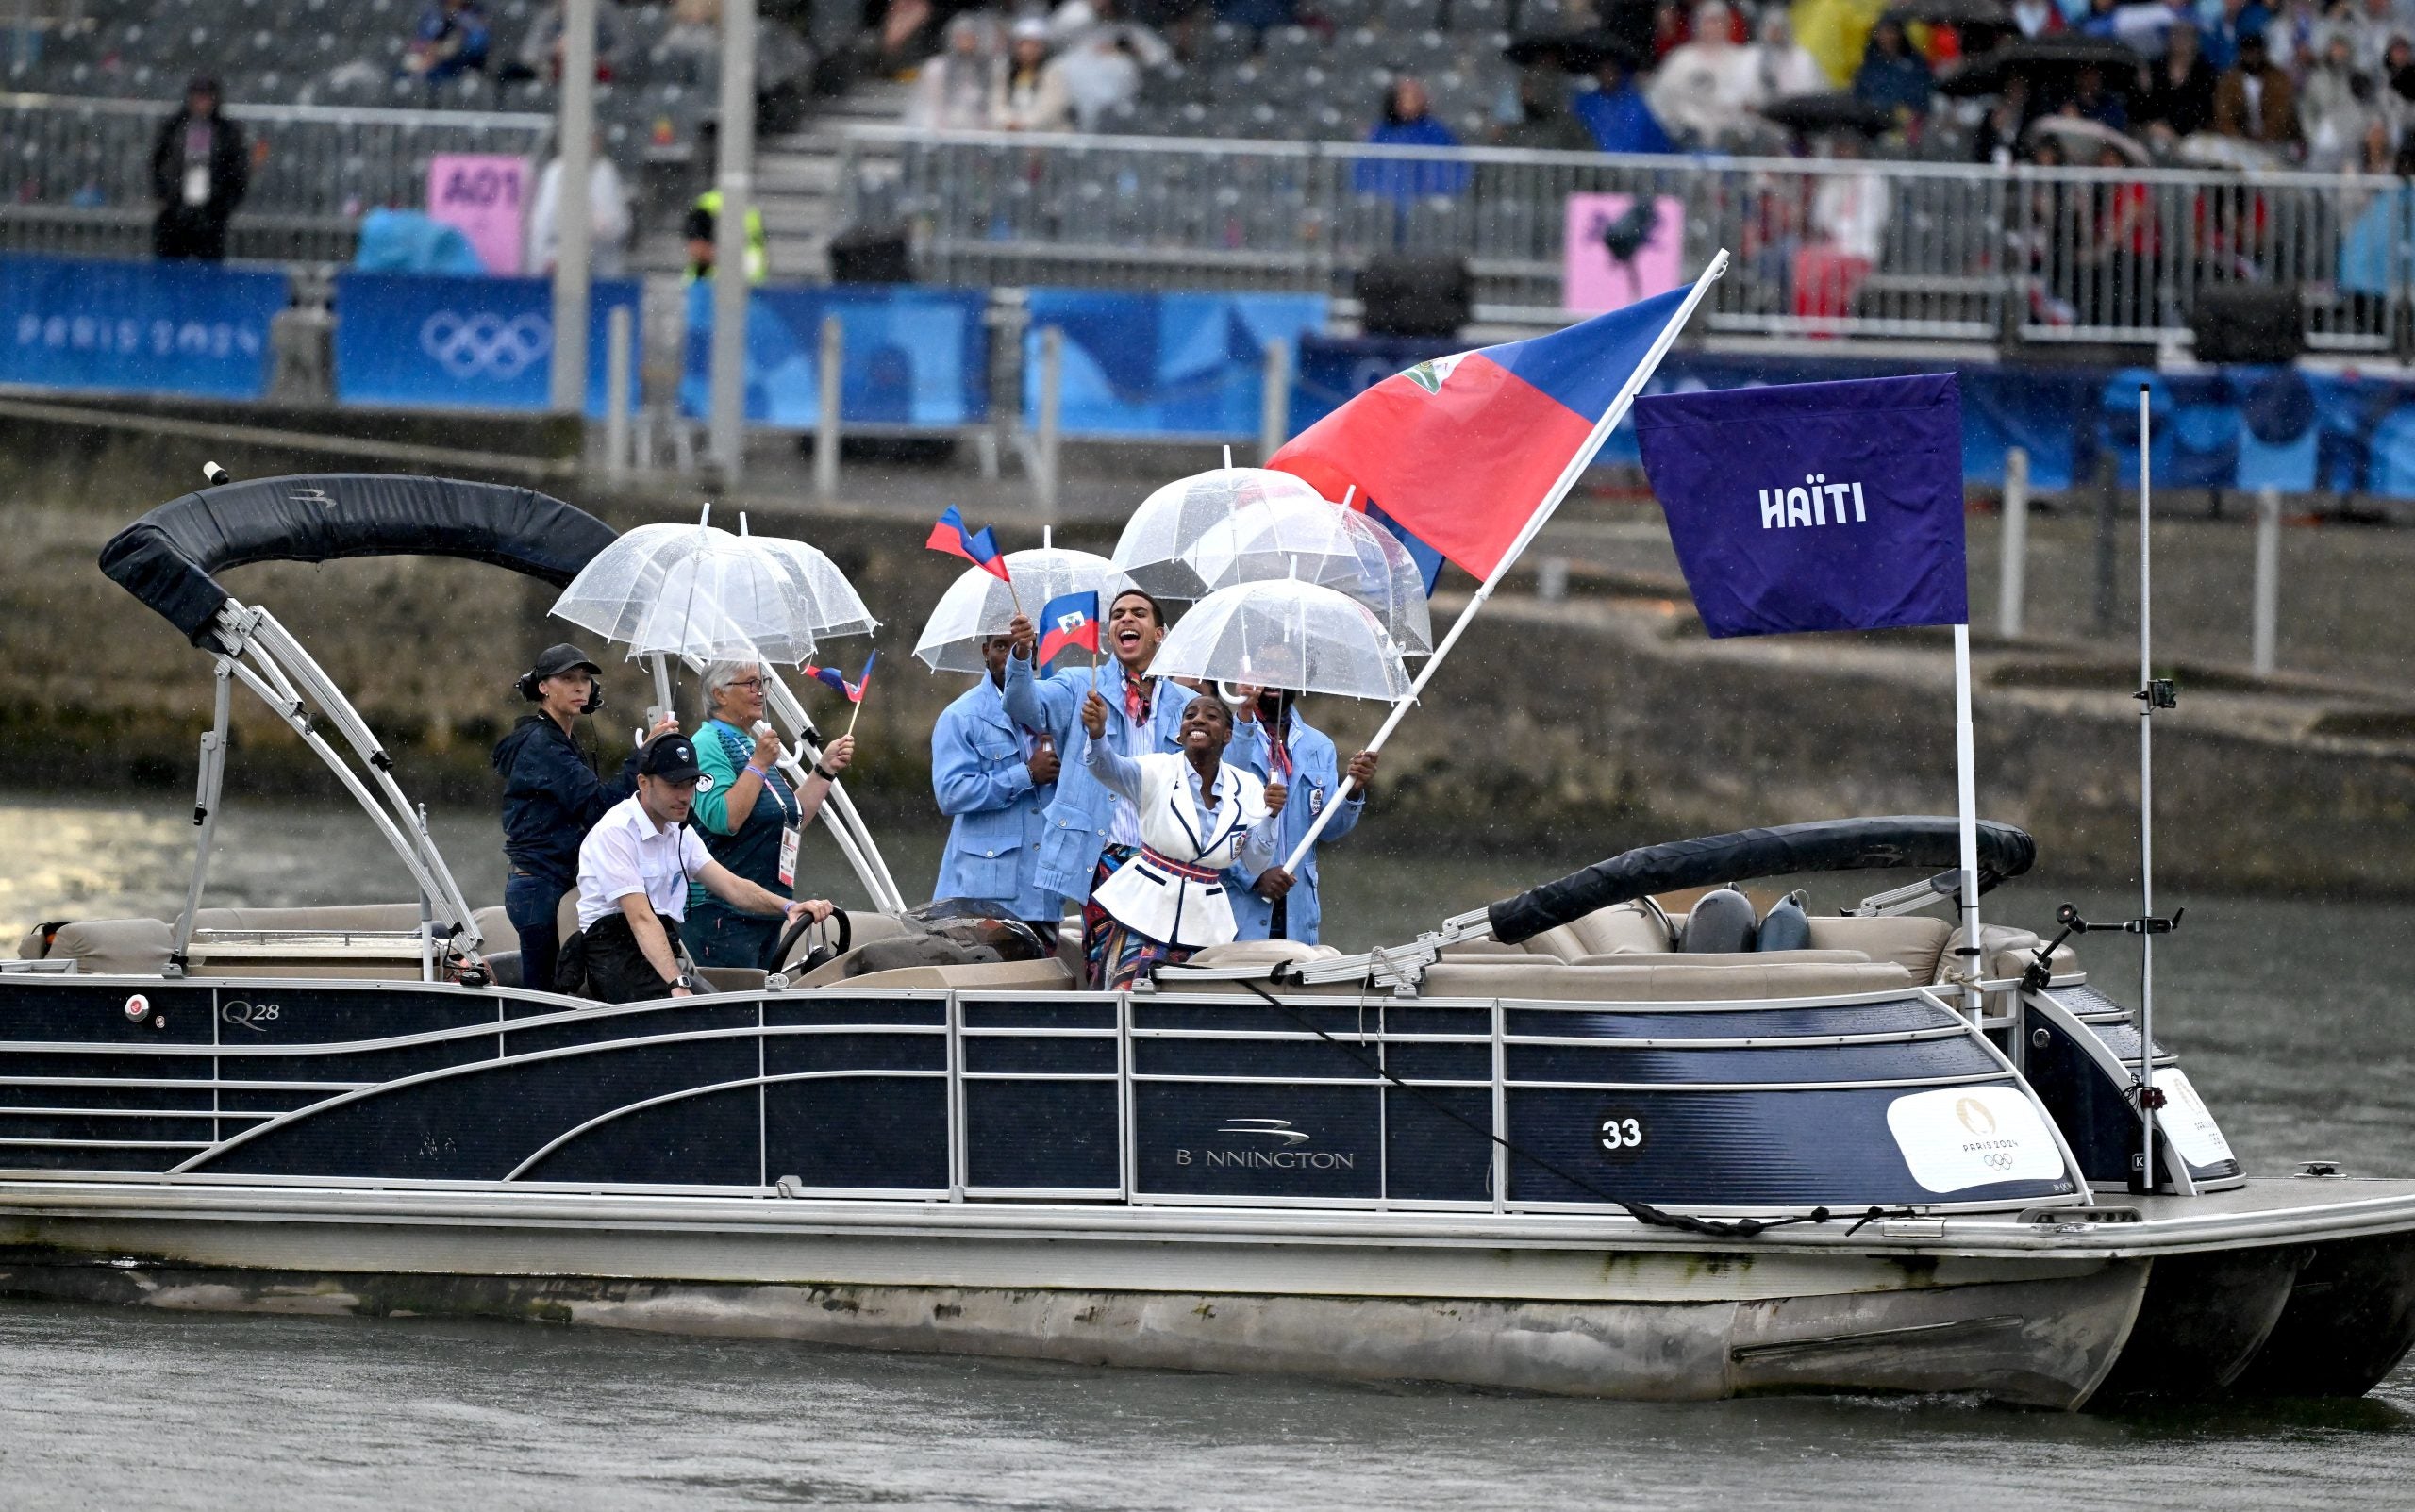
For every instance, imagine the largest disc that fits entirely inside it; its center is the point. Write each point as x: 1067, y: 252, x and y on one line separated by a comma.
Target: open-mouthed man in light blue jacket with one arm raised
x: 1090, y: 830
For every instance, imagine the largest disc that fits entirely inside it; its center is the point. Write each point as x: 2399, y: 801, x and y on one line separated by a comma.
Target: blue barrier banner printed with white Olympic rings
x: 462, y: 344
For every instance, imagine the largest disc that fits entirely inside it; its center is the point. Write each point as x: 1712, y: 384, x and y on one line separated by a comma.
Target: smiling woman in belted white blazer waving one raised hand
x: 1197, y: 818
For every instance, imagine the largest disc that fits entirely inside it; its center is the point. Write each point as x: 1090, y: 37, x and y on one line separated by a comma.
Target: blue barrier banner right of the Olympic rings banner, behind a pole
x: 914, y: 359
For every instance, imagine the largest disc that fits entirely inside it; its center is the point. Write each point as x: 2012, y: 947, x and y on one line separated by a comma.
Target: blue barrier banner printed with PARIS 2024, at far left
x: 136, y: 327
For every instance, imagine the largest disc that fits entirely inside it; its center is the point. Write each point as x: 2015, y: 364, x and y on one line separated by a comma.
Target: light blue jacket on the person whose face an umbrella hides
x: 979, y: 777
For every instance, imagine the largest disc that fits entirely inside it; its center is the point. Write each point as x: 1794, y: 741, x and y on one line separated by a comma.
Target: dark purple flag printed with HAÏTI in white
x: 1815, y: 506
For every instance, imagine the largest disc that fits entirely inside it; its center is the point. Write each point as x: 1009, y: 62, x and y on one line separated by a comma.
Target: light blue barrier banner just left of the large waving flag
x: 1163, y: 366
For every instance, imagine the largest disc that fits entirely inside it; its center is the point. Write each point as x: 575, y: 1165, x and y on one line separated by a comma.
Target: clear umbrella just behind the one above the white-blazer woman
x: 1329, y: 545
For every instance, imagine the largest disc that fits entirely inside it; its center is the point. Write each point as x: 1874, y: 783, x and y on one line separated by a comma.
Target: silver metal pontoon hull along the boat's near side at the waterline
x: 1639, y: 1327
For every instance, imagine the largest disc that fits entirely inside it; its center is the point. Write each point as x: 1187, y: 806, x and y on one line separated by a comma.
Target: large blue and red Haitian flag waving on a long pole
x: 1465, y: 450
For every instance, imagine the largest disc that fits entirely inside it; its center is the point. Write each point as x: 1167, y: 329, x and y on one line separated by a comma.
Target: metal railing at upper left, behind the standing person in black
x: 76, y: 173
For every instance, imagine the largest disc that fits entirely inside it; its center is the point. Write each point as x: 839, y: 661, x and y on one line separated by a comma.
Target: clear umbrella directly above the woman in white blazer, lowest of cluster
x: 1286, y: 634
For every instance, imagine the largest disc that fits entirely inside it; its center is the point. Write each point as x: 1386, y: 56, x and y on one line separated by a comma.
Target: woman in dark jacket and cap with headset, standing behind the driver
x: 552, y: 798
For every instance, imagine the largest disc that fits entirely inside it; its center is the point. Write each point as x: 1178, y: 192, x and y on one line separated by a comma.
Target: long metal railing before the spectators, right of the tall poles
x: 1822, y: 248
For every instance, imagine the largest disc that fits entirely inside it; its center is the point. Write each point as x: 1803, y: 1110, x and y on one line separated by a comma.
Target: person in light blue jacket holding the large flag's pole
x: 1279, y: 745
